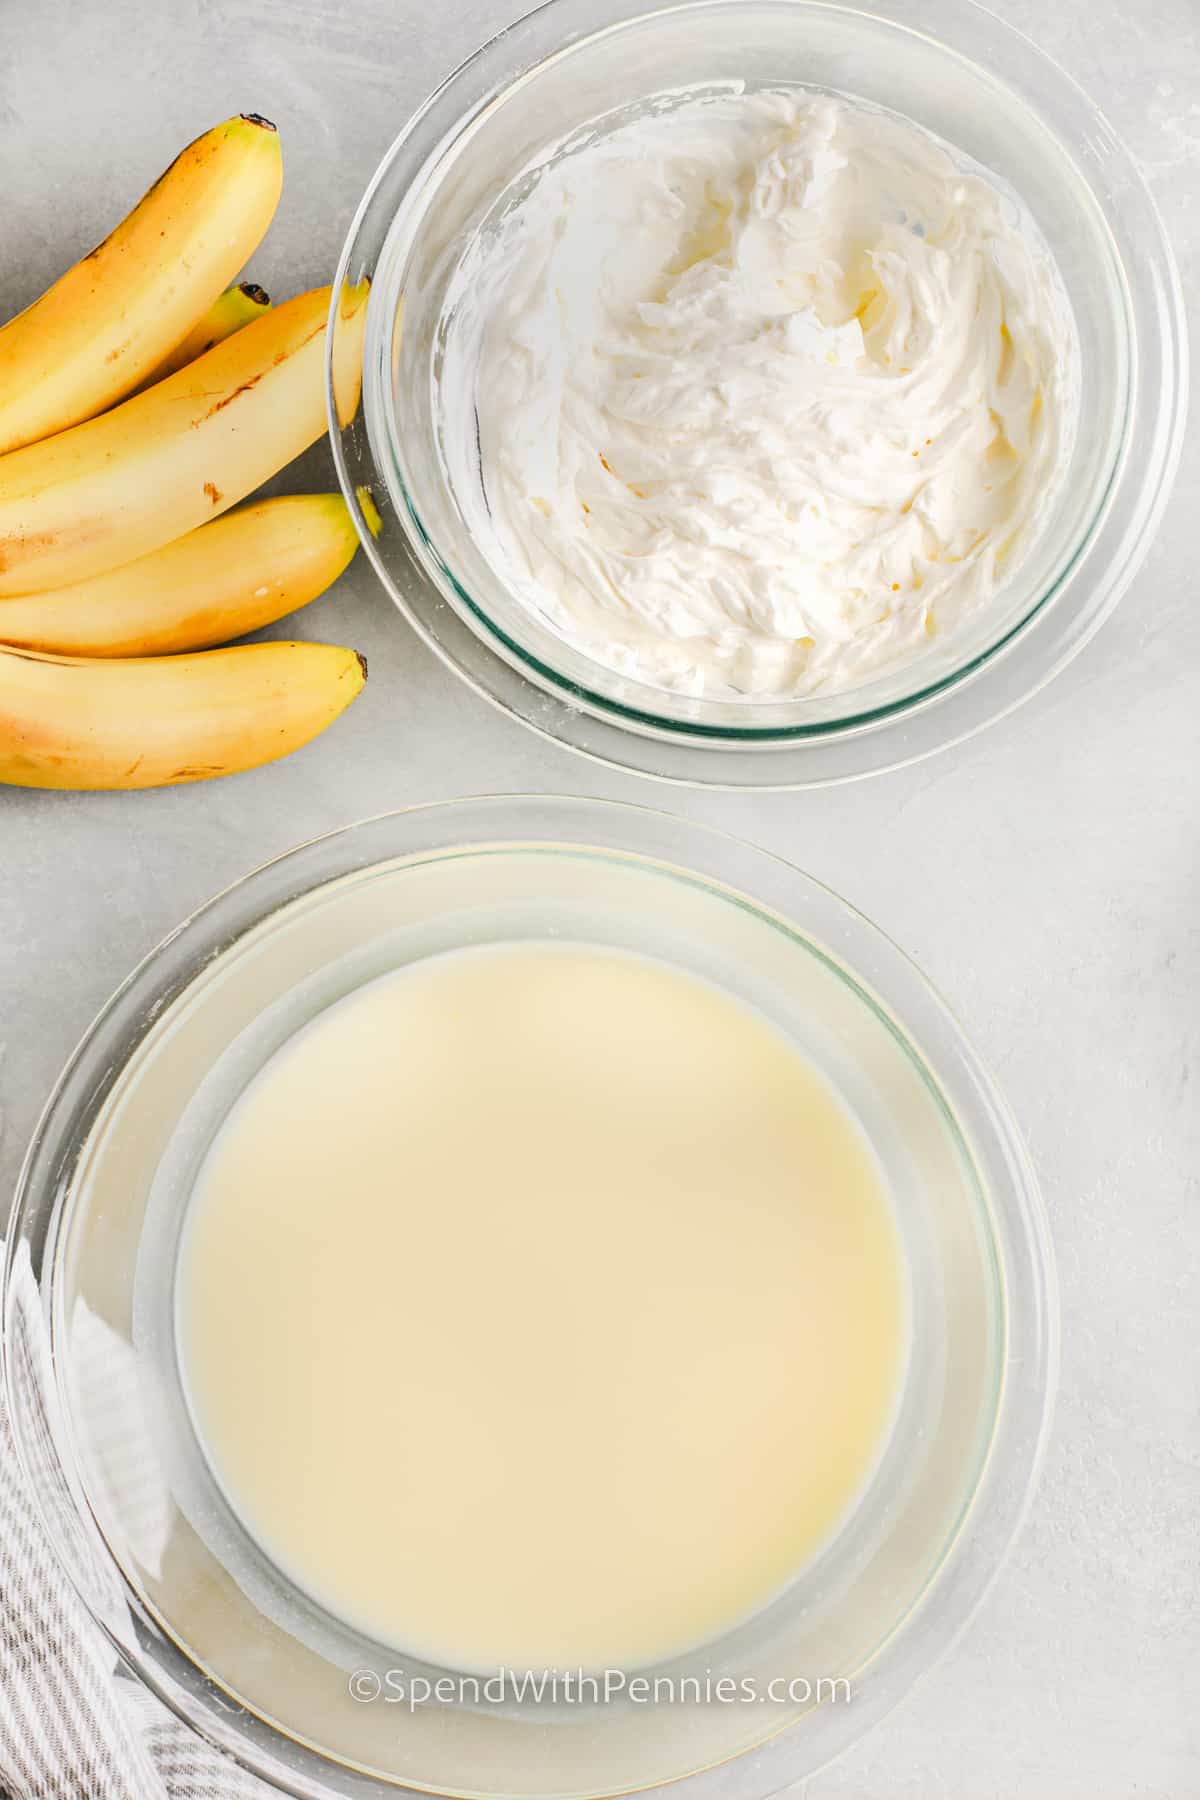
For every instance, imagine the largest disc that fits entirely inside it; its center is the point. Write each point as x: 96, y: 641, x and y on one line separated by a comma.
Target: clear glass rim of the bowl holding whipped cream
x: 947, y: 708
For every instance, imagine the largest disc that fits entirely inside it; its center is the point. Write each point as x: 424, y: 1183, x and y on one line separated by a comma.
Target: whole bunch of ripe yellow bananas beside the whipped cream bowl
x: 141, y: 400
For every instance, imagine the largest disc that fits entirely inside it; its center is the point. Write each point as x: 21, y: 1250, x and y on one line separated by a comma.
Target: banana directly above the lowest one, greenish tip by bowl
x: 222, y: 580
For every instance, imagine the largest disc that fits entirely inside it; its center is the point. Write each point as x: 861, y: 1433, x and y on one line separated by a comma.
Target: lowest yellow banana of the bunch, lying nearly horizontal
x: 69, y: 723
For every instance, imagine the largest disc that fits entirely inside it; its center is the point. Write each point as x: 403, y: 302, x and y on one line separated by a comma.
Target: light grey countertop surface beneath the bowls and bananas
x: 1044, y: 876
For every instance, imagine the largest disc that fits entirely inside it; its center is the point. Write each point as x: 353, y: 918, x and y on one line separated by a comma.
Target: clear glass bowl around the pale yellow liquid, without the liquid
x: 93, y: 1371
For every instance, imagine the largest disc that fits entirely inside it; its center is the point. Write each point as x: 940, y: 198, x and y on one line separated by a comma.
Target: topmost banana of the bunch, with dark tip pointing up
x: 112, y: 318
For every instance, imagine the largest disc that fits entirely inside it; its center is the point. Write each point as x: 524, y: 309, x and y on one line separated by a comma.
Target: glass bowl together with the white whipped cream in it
x: 760, y: 393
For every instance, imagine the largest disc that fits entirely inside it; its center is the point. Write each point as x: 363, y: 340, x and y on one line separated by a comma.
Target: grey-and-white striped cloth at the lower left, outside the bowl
x: 73, y: 1723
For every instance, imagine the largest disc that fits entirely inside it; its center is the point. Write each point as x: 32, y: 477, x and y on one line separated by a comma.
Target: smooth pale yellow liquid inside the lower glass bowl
x: 541, y: 1308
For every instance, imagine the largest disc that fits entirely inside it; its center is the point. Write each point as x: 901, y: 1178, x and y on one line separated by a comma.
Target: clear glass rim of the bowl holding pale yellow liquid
x: 740, y: 870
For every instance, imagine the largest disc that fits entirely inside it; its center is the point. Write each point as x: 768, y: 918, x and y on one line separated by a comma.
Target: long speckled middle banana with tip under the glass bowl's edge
x: 166, y: 462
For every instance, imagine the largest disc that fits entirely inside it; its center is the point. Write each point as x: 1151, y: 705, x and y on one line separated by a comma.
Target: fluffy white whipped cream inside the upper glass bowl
x: 771, y: 391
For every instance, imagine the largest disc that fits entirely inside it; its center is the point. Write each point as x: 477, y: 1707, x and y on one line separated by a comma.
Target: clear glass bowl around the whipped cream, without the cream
x: 954, y: 69
